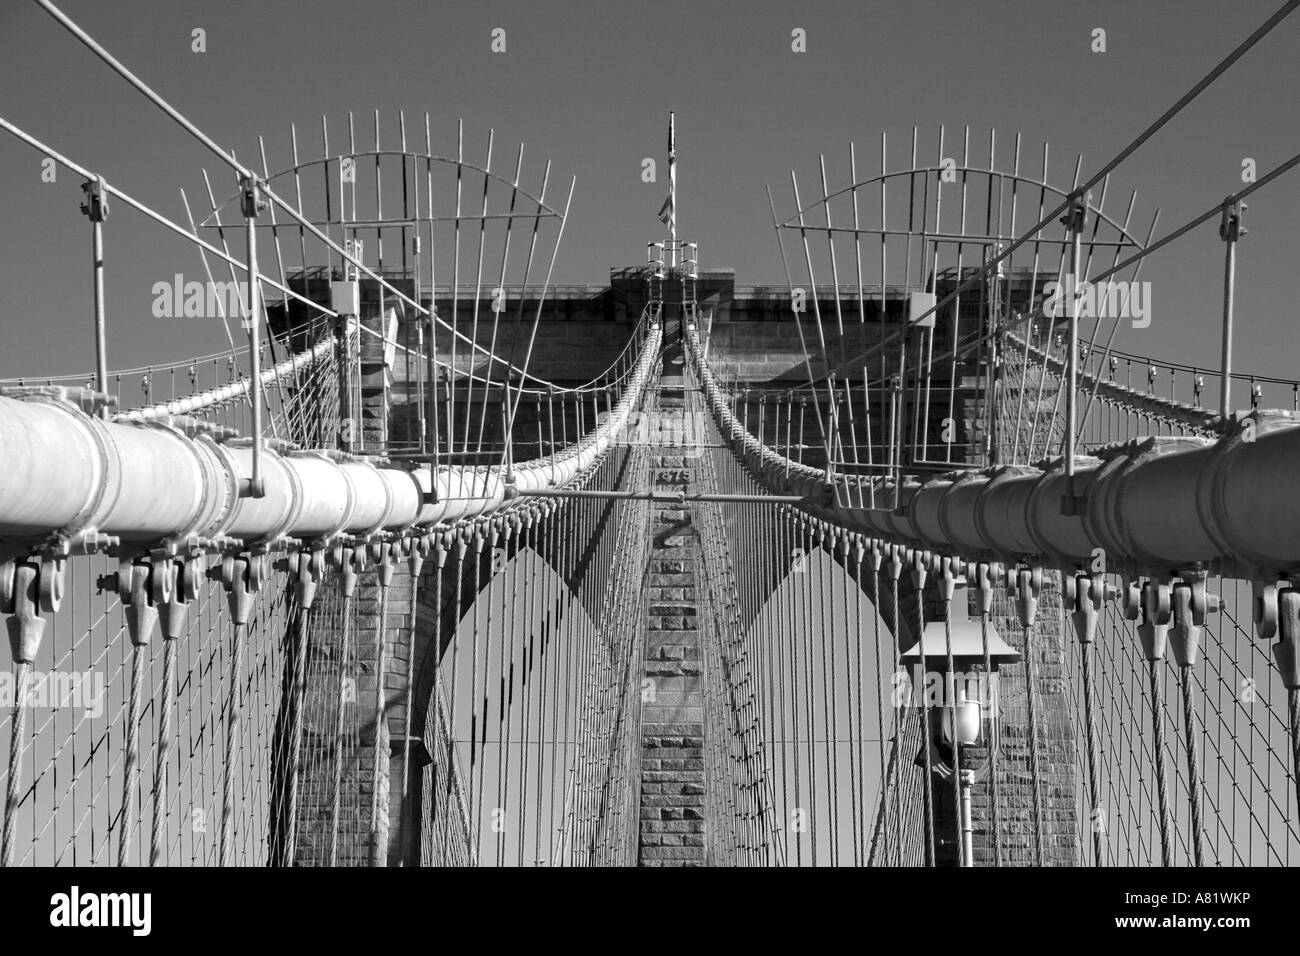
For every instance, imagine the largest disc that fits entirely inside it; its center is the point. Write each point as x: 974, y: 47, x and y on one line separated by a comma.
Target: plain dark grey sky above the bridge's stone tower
x: 590, y: 85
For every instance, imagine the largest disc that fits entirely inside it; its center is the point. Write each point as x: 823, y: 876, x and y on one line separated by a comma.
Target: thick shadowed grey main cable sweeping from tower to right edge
x: 1155, y: 504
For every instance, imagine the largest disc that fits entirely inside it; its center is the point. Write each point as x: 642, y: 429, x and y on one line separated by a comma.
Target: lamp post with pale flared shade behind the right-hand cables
x: 964, y: 706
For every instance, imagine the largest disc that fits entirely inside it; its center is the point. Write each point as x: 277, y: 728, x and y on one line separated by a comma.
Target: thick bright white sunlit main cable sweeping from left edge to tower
x: 71, y: 475
